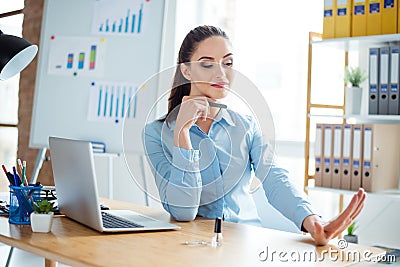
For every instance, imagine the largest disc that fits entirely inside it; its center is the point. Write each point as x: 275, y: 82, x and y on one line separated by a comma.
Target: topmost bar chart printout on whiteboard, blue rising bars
x: 121, y: 18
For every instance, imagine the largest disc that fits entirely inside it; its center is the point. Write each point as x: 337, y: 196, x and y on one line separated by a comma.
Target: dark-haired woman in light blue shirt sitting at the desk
x: 202, y: 155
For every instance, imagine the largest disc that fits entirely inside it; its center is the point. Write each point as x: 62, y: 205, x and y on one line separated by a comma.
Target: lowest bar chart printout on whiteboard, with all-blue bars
x: 112, y: 102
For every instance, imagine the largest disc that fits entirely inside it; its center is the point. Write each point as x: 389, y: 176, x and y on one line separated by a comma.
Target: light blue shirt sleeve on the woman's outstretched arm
x: 279, y: 189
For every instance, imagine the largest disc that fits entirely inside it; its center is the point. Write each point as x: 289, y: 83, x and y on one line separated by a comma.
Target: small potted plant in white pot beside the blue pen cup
x: 42, y: 217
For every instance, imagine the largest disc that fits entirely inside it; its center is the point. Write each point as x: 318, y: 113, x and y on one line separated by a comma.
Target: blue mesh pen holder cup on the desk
x: 21, y: 203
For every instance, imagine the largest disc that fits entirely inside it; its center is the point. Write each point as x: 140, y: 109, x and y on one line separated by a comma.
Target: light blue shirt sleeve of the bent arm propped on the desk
x: 176, y: 174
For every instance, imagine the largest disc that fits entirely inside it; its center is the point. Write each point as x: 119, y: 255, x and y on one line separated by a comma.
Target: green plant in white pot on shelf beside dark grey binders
x: 353, y: 78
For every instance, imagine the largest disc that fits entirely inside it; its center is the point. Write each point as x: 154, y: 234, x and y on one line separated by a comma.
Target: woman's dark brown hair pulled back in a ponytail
x: 180, y: 85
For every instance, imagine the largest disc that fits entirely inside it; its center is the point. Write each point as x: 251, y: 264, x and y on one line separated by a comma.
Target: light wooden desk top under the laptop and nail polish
x: 73, y: 244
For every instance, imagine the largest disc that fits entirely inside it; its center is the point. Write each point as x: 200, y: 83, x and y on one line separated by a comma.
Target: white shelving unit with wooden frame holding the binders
x: 346, y: 45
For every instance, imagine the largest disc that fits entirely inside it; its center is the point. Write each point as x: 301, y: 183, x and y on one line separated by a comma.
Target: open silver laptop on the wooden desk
x: 77, y: 196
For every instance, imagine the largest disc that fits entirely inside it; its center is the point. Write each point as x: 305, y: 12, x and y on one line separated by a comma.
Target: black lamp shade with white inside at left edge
x: 15, y: 54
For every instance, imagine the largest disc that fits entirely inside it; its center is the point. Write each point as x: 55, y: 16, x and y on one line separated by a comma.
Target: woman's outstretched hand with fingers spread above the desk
x: 323, y: 232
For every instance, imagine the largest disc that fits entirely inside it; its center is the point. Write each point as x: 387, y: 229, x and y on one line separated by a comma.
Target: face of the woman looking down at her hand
x: 210, y: 70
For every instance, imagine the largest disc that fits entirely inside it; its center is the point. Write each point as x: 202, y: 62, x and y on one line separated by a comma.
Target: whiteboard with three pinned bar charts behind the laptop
x: 94, y: 57
